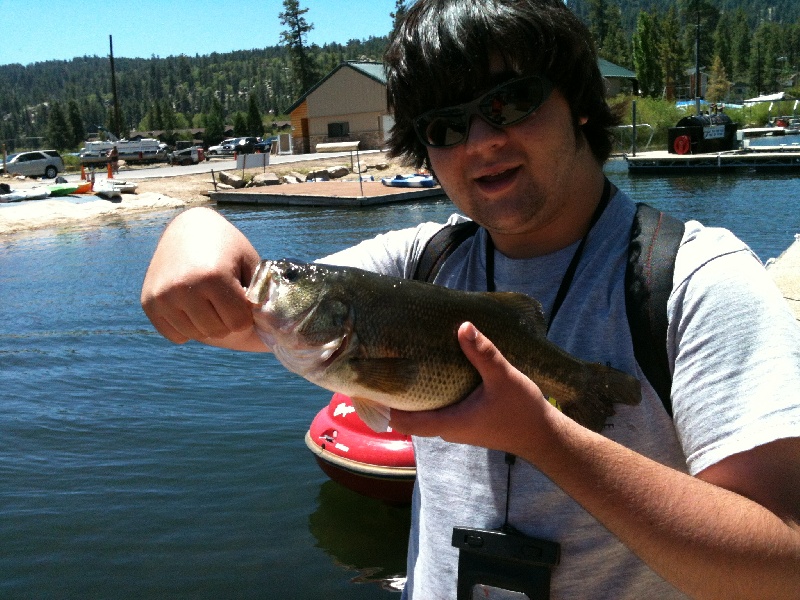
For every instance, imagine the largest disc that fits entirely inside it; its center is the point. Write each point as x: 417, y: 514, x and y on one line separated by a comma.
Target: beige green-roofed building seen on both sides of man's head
x: 349, y: 104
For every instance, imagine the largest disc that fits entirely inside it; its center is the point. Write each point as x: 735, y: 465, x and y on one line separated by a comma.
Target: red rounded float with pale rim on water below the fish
x: 378, y: 465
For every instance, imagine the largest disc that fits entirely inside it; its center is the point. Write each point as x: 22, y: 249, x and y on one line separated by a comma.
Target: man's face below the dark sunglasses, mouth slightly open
x: 519, y: 181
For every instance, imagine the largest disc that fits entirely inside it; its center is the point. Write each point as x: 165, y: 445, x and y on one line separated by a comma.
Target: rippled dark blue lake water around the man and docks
x: 134, y: 468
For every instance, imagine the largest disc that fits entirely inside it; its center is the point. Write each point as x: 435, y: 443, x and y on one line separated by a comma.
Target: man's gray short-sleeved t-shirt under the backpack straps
x: 735, y: 350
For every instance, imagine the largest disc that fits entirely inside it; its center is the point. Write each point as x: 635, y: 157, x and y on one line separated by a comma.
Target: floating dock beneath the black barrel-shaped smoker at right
x: 764, y: 158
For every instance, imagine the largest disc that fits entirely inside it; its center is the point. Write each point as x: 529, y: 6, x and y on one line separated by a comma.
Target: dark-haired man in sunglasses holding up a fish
x: 504, y: 102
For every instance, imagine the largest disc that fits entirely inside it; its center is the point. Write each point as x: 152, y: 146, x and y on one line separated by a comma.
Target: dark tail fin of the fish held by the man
x: 606, y: 386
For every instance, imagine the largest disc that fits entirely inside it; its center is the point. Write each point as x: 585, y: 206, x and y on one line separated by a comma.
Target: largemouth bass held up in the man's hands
x: 392, y: 343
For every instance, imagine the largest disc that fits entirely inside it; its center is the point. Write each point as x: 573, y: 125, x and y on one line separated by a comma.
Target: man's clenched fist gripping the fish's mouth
x: 194, y: 287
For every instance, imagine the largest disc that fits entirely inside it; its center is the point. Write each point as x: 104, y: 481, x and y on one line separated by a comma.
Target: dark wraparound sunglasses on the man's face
x: 504, y: 105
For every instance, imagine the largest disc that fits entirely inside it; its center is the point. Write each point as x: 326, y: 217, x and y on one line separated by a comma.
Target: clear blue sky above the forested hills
x: 35, y: 30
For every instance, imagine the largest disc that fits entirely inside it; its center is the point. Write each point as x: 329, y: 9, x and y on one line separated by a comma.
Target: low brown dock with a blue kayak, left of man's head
x: 325, y: 193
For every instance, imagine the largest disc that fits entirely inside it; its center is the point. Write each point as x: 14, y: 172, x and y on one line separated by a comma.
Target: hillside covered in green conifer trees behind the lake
x: 752, y: 43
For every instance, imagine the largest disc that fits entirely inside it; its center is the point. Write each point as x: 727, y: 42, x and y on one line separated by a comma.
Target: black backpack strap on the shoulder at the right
x: 655, y: 238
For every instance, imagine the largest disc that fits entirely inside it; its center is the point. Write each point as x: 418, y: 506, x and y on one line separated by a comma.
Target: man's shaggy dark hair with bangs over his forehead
x: 440, y: 57
